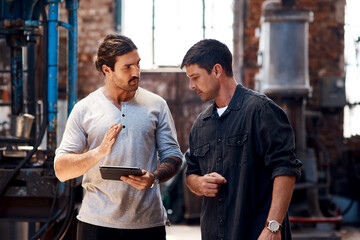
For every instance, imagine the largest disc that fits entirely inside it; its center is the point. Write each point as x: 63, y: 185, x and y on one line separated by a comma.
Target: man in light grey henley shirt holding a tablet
x: 120, y: 124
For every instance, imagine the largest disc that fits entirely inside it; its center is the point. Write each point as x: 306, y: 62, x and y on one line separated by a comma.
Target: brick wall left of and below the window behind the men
x: 94, y: 23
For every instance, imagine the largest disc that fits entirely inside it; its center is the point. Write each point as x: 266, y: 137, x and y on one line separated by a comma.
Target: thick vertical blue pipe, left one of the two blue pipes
x: 53, y: 61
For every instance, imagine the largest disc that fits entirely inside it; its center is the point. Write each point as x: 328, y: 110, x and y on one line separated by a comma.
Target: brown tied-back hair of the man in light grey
x: 113, y: 45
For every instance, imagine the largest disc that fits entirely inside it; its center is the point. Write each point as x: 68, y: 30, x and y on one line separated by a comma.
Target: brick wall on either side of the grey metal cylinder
x: 326, y: 59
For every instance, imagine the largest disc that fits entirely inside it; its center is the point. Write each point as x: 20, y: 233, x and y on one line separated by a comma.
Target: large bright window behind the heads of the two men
x: 164, y: 30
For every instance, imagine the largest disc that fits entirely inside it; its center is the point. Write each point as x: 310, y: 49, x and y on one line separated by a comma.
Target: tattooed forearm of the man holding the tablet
x: 168, y: 168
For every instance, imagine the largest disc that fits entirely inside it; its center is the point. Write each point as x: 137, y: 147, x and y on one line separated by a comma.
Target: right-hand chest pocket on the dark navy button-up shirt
x: 236, y: 149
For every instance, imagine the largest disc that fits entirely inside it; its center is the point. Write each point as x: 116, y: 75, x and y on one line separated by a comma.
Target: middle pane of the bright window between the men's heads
x: 178, y: 25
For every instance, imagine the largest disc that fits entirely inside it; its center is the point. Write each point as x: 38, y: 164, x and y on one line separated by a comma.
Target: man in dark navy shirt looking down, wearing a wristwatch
x: 241, y: 156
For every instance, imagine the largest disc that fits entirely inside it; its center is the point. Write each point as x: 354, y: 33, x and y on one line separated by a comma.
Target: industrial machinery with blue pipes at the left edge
x: 33, y: 203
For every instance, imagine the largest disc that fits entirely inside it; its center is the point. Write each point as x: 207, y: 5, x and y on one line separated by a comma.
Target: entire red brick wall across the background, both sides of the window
x: 326, y: 58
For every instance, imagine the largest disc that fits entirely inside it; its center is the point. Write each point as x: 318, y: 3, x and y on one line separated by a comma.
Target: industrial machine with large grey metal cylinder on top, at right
x: 284, y: 77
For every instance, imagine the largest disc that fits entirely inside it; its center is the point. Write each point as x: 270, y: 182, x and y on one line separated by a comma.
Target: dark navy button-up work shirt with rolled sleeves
x: 250, y: 144
